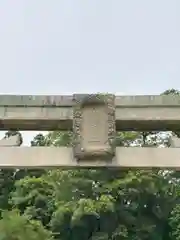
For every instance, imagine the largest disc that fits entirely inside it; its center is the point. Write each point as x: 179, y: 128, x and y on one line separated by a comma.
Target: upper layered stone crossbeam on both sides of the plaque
x: 56, y: 112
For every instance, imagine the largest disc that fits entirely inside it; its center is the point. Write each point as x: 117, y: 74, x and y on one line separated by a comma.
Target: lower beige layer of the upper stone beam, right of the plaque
x: 148, y: 118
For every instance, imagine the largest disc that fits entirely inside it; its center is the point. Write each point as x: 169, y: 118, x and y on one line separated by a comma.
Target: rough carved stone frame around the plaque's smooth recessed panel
x: 85, y: 100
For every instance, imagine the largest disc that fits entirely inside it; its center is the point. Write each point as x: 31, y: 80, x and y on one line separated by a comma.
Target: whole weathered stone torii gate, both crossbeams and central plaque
x: 94, y: 119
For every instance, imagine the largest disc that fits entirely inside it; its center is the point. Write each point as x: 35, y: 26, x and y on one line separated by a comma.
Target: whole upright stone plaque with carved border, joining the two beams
x: 94, y: 127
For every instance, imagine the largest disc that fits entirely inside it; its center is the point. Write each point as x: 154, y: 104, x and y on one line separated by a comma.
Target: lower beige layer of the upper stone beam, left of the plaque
x: 36, y: 118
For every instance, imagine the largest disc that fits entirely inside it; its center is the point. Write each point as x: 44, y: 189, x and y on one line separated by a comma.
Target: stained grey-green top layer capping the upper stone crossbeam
x: 67, y: 101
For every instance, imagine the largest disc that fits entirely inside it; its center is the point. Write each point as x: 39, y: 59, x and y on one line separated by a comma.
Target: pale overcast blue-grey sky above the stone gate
x: 124, y: 47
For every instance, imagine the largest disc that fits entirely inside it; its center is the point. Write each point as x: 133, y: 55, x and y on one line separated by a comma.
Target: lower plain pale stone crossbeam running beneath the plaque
x: 53, y: 157
